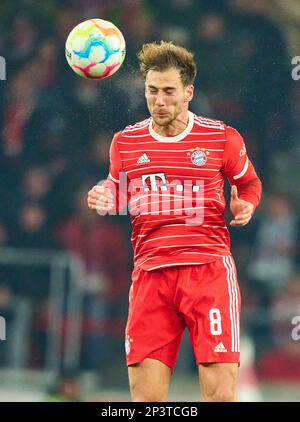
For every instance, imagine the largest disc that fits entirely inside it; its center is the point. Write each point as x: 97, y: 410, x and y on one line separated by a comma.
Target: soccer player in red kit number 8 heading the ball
x: 184, y: 275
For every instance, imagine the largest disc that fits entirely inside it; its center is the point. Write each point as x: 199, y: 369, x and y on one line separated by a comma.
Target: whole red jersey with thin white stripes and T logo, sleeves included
x: 175, y: 189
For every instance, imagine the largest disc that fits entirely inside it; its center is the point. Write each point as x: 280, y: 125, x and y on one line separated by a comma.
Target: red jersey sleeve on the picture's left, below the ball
x: 116, y: 177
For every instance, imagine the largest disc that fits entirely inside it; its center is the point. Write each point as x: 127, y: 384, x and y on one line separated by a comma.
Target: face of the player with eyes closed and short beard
x: 166, y: 95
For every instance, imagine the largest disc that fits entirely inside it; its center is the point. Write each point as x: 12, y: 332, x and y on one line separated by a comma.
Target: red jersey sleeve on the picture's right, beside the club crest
x: 238, y: 168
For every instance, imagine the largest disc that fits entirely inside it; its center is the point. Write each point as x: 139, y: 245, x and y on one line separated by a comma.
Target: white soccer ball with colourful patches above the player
x: 95, y: 49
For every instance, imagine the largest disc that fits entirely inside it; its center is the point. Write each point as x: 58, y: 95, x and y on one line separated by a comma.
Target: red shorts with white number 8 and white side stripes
x: 162, y: 303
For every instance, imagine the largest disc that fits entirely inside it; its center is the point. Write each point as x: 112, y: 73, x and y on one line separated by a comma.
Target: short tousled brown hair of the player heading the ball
x: 164, y: 55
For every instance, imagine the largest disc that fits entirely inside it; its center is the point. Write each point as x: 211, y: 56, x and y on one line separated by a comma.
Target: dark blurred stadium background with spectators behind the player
x: 64, y: 271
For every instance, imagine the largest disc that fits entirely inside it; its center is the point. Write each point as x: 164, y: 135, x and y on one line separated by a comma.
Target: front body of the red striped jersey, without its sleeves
x: 175, y: 184
